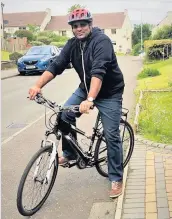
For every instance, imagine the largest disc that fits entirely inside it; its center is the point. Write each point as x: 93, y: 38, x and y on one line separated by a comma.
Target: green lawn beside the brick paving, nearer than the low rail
x: 155, y: 120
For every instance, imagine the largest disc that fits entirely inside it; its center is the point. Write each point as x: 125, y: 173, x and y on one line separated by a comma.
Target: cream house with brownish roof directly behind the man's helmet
x: 116, y: 25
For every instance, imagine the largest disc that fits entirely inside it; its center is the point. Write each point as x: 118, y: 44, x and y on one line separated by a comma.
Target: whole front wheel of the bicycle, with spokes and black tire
x: 34, y: 204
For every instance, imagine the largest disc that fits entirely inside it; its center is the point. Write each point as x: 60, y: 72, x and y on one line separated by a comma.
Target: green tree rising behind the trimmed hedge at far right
x: 163, y: 33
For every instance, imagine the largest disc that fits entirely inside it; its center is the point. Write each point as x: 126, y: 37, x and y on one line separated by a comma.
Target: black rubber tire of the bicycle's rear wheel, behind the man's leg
x: 129, y: 154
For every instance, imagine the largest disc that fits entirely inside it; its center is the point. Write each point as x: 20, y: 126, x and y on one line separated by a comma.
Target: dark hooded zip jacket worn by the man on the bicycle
x: 99, y: 61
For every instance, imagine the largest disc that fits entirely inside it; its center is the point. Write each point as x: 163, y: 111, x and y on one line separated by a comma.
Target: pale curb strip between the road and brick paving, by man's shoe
x: 119, y: 205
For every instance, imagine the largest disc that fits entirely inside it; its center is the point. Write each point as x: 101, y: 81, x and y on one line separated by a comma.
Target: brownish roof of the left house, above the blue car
x: 24, y: 18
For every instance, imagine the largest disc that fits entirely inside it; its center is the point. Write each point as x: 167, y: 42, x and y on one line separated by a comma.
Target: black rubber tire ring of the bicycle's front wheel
x: 20, y: 206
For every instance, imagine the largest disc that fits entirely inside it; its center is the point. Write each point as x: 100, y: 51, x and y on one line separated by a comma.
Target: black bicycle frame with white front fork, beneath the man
x: 65, y: 129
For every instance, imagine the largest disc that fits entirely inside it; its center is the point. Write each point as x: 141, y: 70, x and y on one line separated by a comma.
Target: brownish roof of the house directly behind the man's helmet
x: 104, y: 20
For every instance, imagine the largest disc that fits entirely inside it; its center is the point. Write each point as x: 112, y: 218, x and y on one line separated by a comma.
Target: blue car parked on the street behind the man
x: 37, y: 59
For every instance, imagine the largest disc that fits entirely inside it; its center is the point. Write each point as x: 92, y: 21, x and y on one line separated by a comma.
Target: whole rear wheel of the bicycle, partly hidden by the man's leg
x: 100, y: 154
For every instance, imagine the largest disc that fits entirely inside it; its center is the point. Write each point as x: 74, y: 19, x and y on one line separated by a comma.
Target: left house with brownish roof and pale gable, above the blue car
x: 18, y: 21
